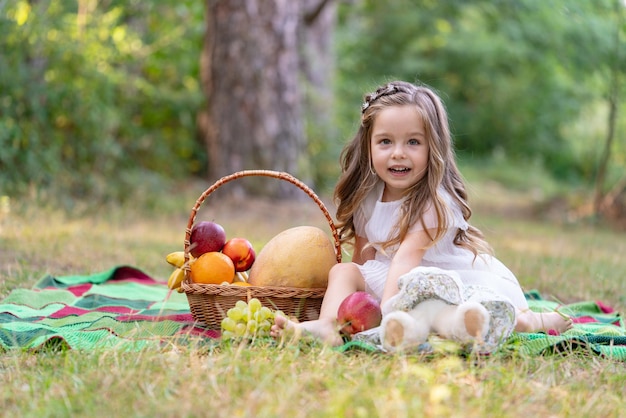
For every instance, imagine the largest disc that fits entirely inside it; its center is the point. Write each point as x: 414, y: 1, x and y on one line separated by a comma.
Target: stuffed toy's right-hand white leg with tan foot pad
x: 466, y: 322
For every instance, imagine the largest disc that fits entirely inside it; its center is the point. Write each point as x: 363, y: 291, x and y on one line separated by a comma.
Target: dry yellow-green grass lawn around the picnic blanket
x: 569, y: 261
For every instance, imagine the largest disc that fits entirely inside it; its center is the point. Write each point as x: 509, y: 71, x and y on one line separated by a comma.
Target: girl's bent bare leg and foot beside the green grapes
x: 343, y: 280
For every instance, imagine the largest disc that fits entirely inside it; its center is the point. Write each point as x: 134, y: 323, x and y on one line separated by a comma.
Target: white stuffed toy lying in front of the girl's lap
x: 431, y: 300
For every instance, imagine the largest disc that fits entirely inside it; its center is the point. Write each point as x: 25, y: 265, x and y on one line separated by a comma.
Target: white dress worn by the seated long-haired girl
x: 485, y: 278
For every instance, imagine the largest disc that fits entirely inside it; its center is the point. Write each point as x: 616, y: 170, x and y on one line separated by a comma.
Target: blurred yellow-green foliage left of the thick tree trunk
x: 98, y: 99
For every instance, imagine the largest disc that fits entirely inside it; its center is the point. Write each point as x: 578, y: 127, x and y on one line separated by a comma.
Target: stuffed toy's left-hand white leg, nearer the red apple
x: 403, y: 330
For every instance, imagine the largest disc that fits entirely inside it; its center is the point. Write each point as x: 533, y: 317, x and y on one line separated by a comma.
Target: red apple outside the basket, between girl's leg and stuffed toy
x: 358, y: 312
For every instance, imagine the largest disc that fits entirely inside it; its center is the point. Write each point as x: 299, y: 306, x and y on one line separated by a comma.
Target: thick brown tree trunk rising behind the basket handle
x: 249, y: 70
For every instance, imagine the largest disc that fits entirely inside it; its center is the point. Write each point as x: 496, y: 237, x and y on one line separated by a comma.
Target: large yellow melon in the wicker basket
x: 297, y: 257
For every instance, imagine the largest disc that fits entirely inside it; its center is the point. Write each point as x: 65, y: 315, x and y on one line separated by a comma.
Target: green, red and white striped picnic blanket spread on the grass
x: 125, y: 308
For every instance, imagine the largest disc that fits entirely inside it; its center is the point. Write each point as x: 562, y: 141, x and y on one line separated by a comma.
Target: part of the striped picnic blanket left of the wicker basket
x: 119, y: 308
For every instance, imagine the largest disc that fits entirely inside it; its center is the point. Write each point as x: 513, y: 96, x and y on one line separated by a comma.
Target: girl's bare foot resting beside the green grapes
x: 324, y: 330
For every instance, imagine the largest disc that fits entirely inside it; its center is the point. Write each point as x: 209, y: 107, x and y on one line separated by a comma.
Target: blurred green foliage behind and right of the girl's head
x: 522, y: 79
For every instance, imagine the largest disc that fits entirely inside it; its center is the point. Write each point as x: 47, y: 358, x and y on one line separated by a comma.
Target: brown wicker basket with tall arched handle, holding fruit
x: 209, y: 302
